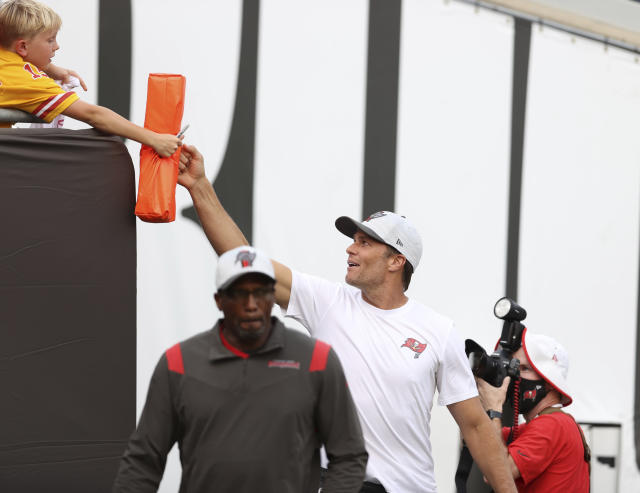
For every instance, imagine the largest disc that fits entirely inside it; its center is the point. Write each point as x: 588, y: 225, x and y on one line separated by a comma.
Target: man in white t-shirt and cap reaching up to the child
x: 395, y: 351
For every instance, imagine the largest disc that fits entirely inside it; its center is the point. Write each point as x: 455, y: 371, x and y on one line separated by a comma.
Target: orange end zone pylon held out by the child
x: 158, y: 175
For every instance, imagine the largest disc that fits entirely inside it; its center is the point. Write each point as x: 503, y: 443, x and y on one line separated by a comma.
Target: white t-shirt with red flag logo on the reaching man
x: 393, y: 360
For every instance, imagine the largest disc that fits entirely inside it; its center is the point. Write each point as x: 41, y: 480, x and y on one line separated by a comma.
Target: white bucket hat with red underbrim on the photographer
x: 549, y: 360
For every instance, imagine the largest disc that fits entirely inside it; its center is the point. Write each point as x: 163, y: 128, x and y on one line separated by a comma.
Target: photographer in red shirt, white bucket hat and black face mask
x: 548, y: 453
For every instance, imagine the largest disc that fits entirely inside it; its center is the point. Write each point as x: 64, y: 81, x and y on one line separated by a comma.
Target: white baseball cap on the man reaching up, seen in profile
x: 389, y: 228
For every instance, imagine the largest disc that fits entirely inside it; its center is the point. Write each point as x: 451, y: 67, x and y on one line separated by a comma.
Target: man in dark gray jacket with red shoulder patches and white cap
x: 250, y: 402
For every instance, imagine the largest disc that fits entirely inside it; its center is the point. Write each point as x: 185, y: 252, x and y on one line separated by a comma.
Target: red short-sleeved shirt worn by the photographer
x: 550, y: 456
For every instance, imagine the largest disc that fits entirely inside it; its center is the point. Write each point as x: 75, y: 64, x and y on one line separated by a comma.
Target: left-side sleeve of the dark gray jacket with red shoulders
x: 143, y: 462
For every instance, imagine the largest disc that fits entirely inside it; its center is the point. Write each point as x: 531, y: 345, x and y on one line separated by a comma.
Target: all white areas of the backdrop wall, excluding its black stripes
x: 579, y: 232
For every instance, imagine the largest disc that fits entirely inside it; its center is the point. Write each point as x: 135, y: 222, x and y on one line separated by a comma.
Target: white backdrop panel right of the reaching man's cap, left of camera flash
x: 453, y: 172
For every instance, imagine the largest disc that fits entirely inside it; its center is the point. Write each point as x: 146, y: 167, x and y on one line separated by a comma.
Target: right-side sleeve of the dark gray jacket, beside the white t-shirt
x: 340, y: 431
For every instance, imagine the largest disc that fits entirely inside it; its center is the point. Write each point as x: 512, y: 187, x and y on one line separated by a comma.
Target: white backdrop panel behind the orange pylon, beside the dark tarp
x: 201, y: 40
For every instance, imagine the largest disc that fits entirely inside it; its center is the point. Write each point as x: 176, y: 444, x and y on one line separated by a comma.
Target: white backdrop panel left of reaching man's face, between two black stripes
x: 312, y: 73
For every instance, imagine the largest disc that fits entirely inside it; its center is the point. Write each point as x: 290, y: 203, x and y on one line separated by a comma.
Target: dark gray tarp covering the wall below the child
x: 67, y: 309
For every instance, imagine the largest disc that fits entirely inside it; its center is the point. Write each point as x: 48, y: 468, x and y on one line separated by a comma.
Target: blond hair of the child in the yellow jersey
x: 25, y: 19
